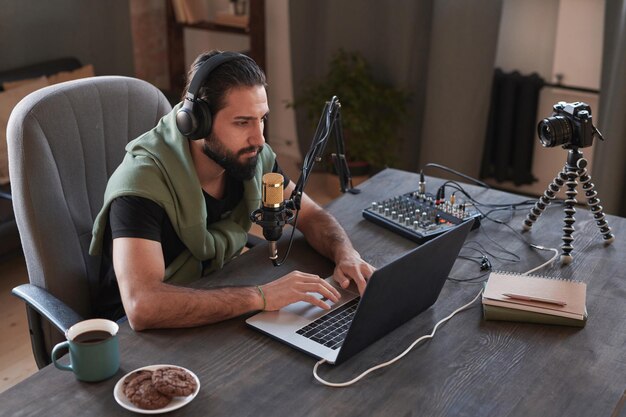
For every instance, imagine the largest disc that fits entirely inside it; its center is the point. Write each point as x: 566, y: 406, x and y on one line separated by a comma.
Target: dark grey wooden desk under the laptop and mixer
x: 471, y: 367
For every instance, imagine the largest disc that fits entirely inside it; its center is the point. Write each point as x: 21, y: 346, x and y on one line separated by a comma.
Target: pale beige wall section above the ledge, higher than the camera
x: 552, y: 37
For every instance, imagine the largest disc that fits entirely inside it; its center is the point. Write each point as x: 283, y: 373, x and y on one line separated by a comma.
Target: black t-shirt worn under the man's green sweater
x: 133, y: 216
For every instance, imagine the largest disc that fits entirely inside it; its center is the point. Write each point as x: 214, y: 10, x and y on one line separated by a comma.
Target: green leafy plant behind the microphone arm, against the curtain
x: 371, y: 111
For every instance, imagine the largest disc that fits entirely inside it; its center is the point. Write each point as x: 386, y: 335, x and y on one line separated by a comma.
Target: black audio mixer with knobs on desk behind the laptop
x: 420, y: 216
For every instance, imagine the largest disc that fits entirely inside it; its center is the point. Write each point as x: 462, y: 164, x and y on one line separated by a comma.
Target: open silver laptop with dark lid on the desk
x: 394, y: 294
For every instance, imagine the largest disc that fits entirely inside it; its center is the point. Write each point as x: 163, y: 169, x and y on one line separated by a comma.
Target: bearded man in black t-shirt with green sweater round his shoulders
x: 177, y: 208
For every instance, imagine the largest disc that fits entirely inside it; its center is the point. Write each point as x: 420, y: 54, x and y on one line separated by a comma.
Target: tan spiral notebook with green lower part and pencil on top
x: 531, y: 298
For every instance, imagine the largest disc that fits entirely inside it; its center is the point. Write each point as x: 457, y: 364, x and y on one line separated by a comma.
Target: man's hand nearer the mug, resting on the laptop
x: 298, y: 286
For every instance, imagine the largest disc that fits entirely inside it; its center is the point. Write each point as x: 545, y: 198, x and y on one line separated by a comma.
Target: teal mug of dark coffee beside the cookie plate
x: 94, y: 350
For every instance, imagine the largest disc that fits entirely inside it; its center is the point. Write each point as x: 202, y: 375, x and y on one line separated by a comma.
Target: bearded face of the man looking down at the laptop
x: 237, y: 134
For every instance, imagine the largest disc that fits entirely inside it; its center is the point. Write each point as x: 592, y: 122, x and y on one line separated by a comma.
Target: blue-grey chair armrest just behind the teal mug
x: 51, y: 308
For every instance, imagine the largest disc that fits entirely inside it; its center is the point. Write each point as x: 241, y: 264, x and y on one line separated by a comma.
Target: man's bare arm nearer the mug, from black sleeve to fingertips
x: 151, y: 303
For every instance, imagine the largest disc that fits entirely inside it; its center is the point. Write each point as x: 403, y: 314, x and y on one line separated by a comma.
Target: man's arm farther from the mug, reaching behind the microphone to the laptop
x: 326, y: 235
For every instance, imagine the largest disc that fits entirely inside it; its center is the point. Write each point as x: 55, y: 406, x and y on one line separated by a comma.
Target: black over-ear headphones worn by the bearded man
x: 194, y: 118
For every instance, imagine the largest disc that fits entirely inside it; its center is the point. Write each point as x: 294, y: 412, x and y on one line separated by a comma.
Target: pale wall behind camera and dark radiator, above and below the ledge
x: 551, y: 37
